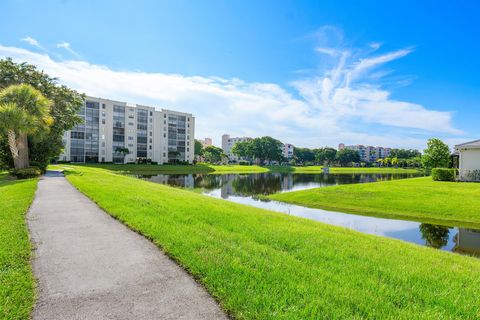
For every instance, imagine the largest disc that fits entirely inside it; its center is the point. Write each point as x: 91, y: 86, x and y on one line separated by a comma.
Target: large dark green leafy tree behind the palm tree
x: 47, y: 146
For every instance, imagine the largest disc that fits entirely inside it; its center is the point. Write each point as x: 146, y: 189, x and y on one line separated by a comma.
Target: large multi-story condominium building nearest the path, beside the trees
x: 121, y: 132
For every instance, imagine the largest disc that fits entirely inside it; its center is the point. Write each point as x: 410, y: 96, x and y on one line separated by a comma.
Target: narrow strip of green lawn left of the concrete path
x: 16, y: 279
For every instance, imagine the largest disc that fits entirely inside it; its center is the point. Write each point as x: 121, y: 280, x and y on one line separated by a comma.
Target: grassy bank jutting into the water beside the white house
x: 421, y: 199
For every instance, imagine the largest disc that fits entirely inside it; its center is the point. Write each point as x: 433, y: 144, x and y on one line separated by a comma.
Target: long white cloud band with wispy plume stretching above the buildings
x: 339, y: 105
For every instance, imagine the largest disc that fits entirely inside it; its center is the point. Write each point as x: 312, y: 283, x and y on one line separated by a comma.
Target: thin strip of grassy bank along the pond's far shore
x: 224, y: 169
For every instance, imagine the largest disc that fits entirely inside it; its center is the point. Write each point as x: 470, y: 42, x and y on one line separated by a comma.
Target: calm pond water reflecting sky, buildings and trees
x: 243, y: 188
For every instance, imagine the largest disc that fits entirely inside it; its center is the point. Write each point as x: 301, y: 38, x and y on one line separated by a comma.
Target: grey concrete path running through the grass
x: 90, y: 266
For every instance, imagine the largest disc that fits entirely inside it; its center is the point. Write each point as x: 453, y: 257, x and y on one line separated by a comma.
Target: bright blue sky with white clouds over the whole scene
x: 312, y: 73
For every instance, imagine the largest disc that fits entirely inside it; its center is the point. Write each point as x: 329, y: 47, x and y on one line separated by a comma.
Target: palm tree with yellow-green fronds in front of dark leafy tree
x: 23, y: 111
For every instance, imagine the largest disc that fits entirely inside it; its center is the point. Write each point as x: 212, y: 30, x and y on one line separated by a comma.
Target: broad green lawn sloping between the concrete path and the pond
x: 261, y: 264
